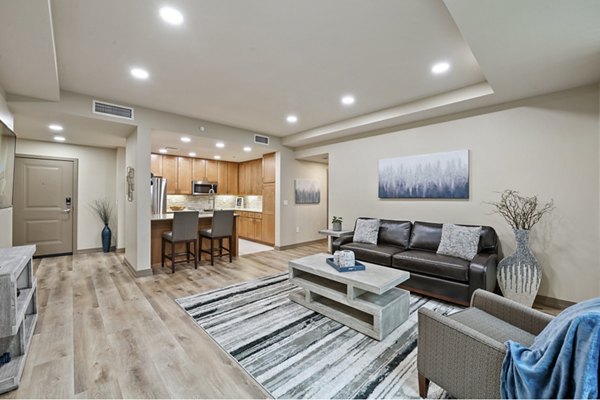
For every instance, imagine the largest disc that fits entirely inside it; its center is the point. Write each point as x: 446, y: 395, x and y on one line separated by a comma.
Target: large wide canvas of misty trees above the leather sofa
x: 427, y: 176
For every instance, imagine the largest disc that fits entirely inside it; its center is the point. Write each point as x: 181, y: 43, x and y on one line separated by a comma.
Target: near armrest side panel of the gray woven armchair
x: 461, y: 360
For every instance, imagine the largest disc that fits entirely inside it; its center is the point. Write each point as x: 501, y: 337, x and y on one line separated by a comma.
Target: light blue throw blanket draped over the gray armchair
x: 562, y: 362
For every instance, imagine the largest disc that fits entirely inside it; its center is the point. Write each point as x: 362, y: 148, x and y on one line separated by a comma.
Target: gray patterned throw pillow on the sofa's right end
x: 459, y: 241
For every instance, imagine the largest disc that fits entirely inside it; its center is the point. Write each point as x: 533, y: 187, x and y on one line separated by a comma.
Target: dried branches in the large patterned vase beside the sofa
x: 519, y: 211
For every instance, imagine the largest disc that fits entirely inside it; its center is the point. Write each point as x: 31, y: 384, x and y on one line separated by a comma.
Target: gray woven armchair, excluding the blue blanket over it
x: 463, y: 352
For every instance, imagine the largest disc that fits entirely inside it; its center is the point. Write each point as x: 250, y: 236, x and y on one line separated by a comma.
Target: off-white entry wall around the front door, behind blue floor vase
x: 96, y: 180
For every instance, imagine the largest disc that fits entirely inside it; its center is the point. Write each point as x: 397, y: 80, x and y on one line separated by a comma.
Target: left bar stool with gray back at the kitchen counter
x: 185, y: 230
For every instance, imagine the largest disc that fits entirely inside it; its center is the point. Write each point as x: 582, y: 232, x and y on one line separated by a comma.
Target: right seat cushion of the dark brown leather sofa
x: 426, y: 262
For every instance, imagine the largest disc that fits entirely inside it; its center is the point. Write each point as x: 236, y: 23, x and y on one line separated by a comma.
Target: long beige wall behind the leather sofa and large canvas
x: 547, y: 146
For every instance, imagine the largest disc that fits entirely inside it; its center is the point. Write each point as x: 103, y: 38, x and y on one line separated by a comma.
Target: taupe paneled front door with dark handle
x: 43, y: 205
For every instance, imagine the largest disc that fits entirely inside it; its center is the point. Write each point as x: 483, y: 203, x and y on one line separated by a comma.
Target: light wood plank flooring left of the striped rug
x: 103, y: 334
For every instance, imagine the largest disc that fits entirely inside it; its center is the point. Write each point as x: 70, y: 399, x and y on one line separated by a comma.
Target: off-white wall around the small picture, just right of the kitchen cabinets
x: 307, y: 218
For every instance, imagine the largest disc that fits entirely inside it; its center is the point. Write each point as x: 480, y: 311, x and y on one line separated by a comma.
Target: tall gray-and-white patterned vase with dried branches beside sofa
x: 520, y: 275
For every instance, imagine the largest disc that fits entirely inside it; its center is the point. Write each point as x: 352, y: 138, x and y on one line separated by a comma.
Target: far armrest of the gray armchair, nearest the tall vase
x: 516, y: 314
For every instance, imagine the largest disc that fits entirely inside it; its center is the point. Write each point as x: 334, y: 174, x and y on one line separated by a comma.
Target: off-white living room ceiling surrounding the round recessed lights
x: 250, y: 63
